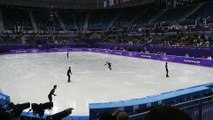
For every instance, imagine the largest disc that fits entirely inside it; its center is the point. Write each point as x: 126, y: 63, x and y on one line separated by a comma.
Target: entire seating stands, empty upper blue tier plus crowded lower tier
x: 131, y: 26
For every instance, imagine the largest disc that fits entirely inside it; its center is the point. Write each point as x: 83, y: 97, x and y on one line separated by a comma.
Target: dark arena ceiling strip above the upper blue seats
x: 76, y: 4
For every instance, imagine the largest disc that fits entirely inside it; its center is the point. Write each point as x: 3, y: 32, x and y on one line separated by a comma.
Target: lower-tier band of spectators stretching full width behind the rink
x: 189, y: 39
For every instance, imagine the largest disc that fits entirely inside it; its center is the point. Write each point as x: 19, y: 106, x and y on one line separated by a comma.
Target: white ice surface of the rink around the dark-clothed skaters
x: 30, y: 77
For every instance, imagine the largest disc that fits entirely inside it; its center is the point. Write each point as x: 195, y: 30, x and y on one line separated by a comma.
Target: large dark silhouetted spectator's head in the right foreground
x: 167, y: 113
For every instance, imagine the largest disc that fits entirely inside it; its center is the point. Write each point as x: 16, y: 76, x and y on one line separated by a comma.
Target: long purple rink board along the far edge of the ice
x: 169, y: 58
